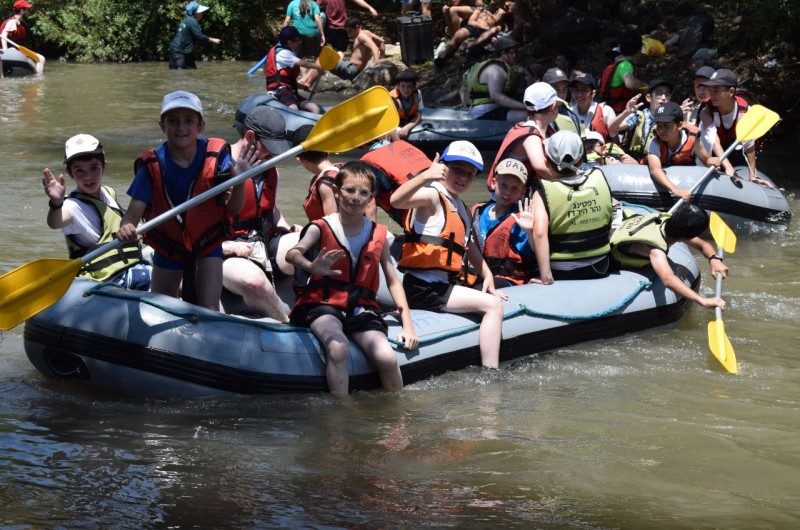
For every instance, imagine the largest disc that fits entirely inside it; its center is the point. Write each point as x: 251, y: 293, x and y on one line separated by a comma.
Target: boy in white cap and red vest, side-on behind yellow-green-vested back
x: 525, y: 140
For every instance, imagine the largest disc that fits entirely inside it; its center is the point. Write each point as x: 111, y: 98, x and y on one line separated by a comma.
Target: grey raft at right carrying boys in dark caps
x: 733, y: 198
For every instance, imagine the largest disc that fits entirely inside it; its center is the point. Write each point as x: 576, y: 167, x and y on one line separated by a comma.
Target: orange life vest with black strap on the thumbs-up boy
x: 444, y: 252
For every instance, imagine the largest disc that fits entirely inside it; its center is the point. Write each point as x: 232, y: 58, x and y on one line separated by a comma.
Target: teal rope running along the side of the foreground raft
x: 191, y: 316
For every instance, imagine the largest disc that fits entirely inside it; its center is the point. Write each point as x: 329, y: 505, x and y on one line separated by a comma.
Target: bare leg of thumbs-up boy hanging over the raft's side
x: 466, y: 300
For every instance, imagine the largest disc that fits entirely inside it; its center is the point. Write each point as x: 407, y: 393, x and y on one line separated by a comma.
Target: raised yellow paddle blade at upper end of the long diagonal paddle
x: 354, y: 122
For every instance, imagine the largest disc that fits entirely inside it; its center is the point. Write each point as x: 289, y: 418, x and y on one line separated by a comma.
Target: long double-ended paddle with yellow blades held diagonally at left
x: 29, y: 289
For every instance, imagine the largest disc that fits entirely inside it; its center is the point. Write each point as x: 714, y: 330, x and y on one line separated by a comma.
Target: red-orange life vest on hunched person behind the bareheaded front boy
x: 397, y: 162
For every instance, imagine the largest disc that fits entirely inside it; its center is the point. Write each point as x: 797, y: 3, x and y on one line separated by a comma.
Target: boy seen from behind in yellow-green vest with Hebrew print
x: 572, y: 215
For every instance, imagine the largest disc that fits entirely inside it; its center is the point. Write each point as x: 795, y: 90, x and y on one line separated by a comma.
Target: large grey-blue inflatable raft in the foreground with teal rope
x: 149, y: 345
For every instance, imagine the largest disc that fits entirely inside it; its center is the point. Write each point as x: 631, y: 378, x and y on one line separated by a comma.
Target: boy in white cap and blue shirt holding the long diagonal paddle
x: 182, y: 167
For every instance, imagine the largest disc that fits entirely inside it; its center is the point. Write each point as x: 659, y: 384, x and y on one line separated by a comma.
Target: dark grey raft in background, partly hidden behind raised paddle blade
x: 439, y: 126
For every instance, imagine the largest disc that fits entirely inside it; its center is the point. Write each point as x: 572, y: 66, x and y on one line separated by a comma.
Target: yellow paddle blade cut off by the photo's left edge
x: 34, y: 287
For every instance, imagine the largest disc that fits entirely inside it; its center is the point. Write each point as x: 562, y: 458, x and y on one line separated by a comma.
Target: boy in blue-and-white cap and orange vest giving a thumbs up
x: 437, y: 241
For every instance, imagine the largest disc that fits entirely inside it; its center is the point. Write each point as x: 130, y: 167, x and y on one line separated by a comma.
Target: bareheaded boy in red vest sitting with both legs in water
x: 340, y: 295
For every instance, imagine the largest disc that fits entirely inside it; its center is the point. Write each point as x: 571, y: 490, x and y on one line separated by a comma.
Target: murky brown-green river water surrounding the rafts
x: 638, y: 432
